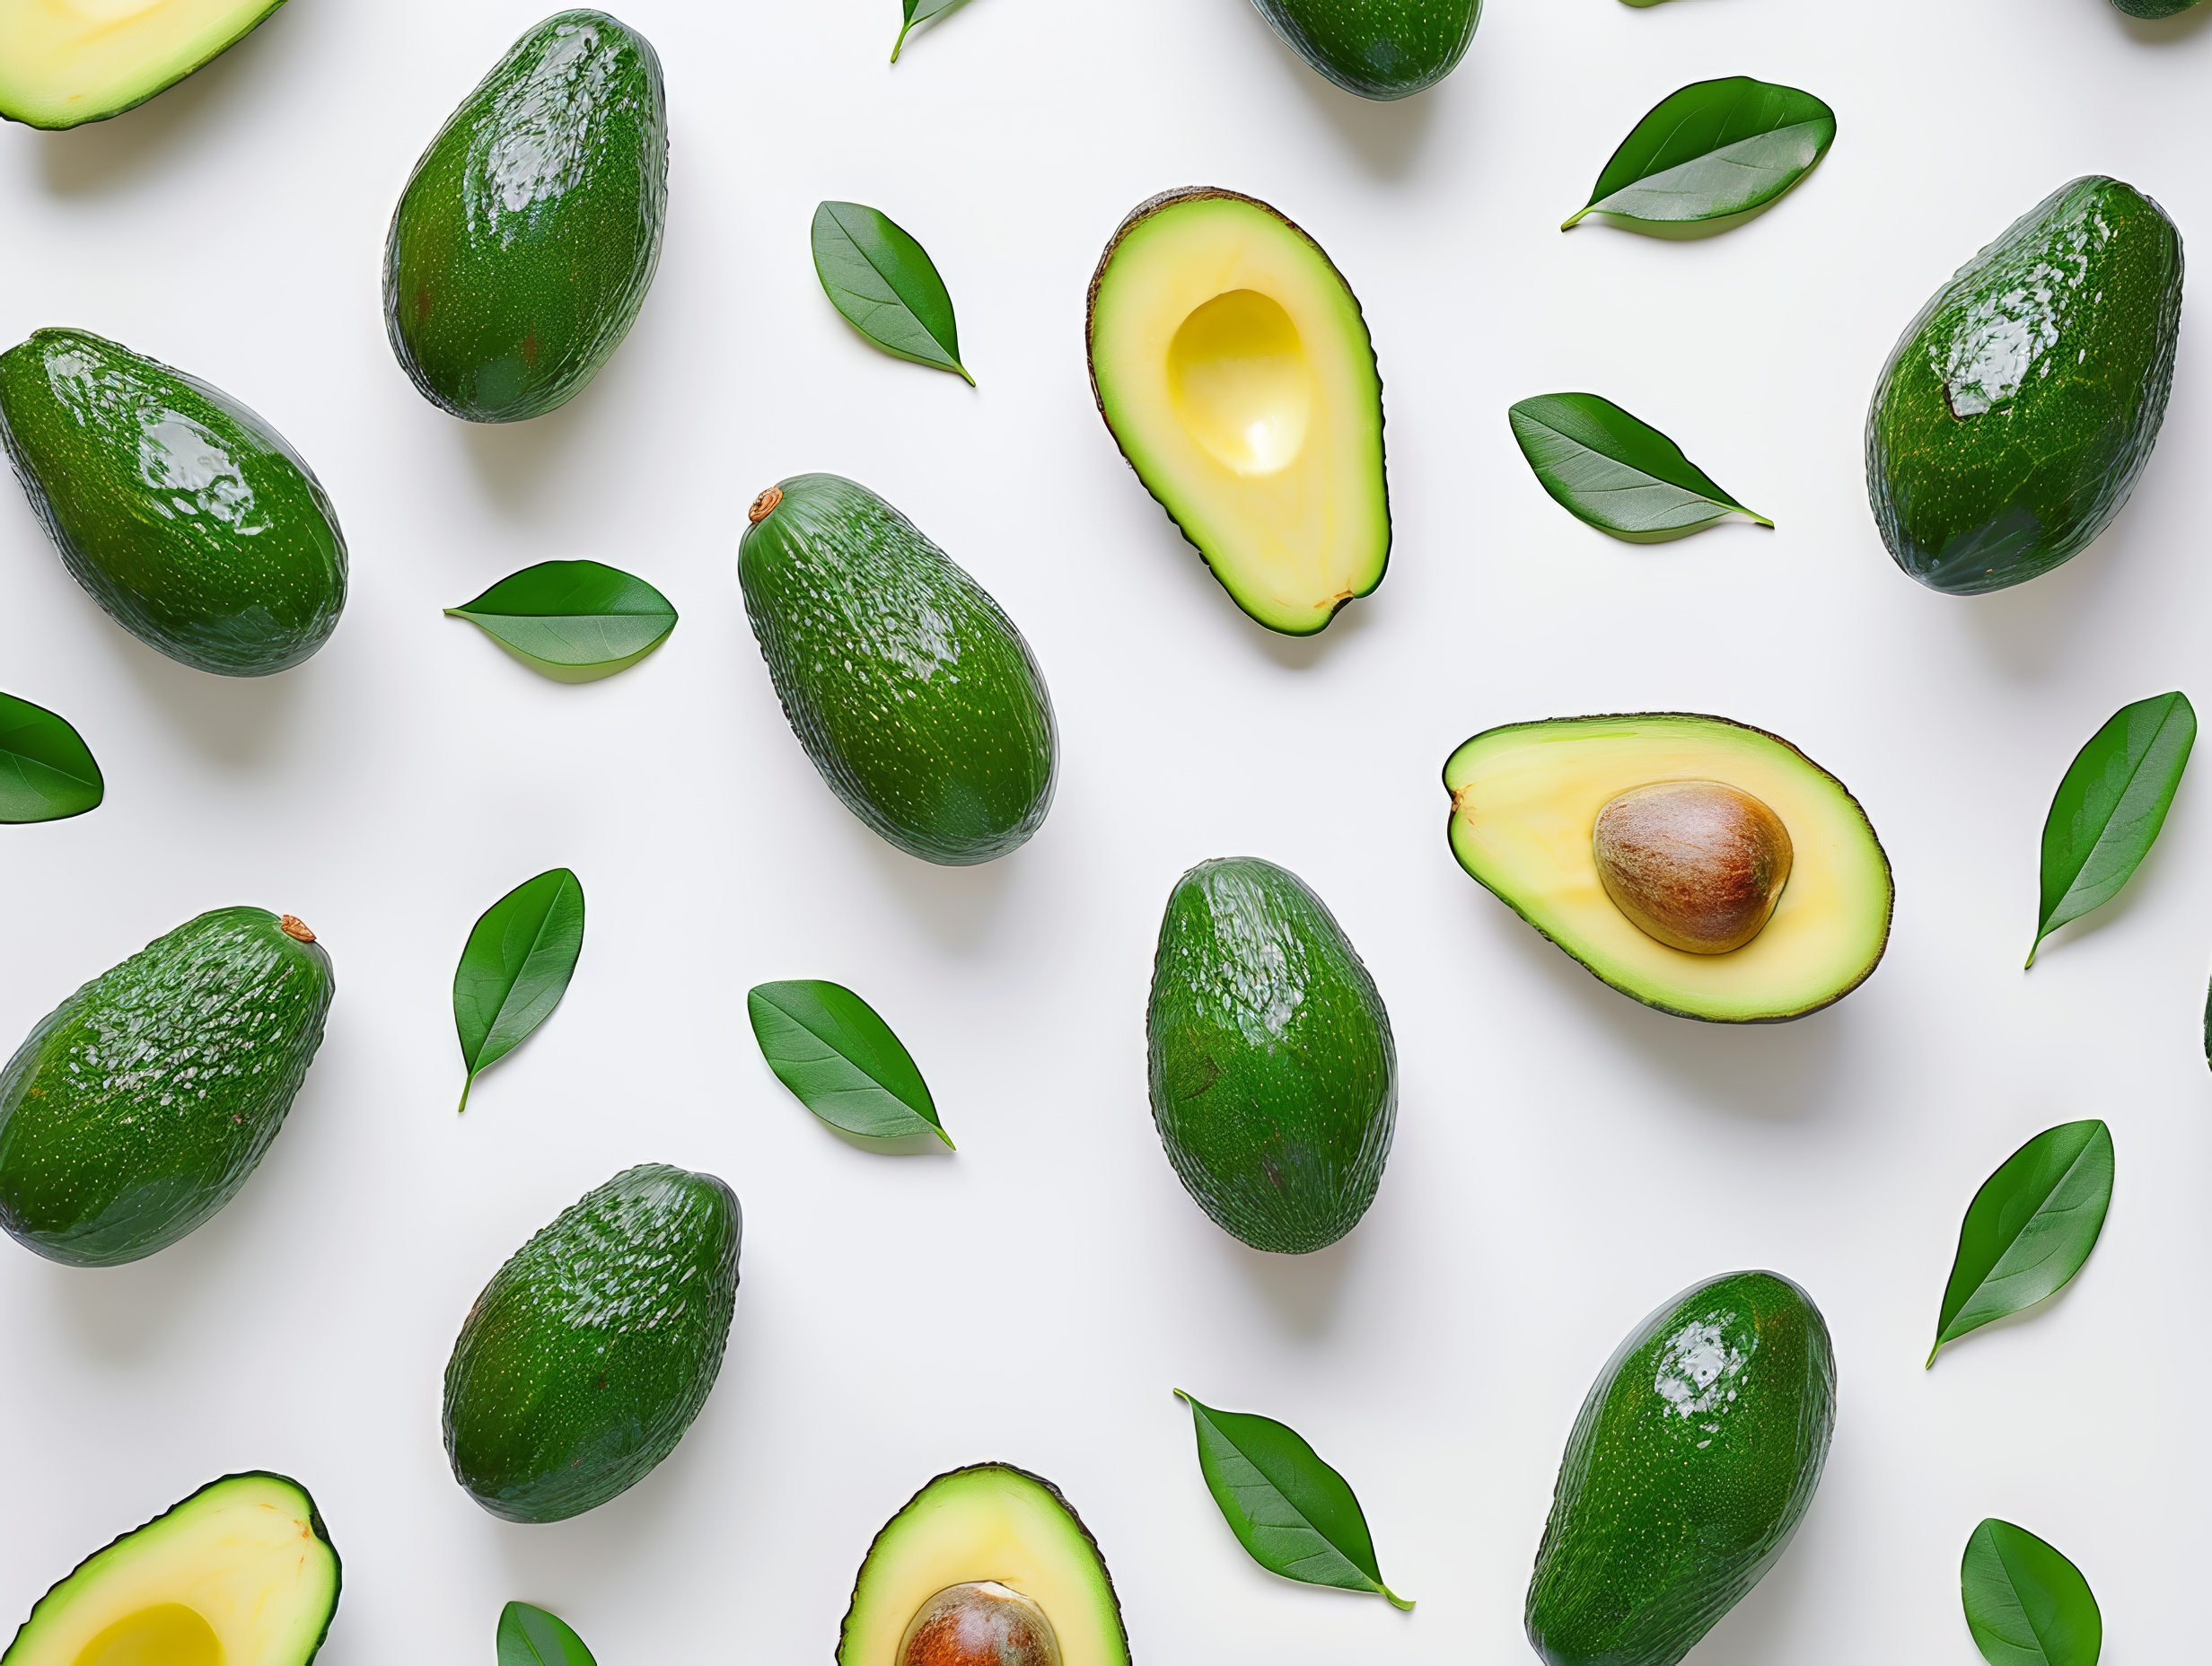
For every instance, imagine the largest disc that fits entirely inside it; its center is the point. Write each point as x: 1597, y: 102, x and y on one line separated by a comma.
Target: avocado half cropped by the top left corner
x: 65, y: 63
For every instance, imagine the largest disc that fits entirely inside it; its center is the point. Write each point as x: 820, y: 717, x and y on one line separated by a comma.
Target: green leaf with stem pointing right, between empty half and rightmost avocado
x: 1618, y: 472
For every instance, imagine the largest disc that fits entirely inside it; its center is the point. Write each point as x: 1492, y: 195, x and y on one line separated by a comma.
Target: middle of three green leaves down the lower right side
x: 2030, y: 1229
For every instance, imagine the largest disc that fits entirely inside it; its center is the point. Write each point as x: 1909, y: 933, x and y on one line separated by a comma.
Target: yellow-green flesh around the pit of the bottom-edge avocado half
x: 985, y: 1523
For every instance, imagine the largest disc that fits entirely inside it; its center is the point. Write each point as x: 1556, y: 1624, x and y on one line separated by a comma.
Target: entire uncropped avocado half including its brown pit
x: 1702, y: 866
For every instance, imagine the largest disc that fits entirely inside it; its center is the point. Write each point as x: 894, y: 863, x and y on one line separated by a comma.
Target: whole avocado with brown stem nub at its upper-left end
x: 904, y: 680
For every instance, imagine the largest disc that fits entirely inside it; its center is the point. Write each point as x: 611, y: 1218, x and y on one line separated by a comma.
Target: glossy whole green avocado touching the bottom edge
x: 1691, y: 1466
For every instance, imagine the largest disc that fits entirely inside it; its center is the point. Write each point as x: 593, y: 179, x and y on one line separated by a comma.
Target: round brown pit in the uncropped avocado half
x: 1693, y: 864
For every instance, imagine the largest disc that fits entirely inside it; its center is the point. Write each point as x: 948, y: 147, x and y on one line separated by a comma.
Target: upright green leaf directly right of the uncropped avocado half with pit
x: 2109, y: 809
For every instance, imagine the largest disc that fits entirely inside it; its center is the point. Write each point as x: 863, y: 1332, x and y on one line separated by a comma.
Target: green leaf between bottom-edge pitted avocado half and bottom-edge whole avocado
x: 1284, y: 1503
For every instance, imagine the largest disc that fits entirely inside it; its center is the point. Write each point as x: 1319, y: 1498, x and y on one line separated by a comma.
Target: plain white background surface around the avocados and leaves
x: 1565, y: 1158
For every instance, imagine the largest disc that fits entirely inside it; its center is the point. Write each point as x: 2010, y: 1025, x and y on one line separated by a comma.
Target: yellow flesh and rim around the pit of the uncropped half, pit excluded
x: 1525, y: 806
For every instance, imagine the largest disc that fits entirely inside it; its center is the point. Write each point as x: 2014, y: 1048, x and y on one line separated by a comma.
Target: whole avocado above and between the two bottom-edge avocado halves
x: 594, y: 1349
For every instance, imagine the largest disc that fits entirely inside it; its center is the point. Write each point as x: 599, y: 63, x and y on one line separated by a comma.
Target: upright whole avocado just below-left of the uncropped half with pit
x: 1273, y: 1070
